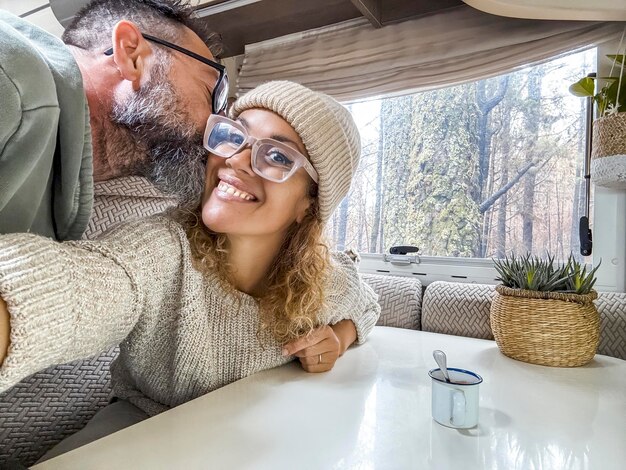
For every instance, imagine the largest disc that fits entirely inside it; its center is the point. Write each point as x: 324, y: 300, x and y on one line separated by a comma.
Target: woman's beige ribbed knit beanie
x: 326, y: 128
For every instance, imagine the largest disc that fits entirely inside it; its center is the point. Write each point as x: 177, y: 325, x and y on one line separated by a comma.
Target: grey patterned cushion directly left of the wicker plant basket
x: 458, y: 309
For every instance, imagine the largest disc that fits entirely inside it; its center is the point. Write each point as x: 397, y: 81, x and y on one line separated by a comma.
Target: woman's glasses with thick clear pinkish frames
x: 271, y: 159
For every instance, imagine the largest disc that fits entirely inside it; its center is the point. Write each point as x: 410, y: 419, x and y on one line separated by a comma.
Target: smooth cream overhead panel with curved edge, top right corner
x: 586, y: 10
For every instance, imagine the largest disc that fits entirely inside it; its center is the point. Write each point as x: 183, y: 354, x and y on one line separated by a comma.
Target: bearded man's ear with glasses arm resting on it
x: 130, y: 51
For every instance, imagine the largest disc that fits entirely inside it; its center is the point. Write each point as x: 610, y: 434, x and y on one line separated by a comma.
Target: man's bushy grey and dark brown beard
x: 165, y: 146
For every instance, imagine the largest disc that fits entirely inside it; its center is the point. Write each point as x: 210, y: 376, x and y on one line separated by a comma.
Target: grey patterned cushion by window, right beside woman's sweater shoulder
x: 400, y: 299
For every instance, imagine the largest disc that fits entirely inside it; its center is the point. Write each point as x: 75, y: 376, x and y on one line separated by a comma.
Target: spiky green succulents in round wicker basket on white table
x: 543, y: 313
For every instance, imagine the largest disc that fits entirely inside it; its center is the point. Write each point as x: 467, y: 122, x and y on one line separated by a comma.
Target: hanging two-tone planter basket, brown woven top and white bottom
x: 608, y: 154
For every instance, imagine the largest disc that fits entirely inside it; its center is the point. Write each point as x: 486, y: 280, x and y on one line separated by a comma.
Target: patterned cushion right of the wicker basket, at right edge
x: 612, y: 308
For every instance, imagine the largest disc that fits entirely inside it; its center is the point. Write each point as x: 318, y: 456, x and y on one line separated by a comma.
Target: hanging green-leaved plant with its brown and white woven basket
x: 608, y: 155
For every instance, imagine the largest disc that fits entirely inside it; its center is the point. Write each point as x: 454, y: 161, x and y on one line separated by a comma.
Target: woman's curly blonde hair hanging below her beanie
x: 297, y: 279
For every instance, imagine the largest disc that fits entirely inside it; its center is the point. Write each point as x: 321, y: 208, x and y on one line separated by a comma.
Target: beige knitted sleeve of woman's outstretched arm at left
x: 72, y: 300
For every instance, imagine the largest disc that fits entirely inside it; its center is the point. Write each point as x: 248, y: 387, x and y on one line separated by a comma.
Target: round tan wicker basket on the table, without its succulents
x: 547, y: 328
